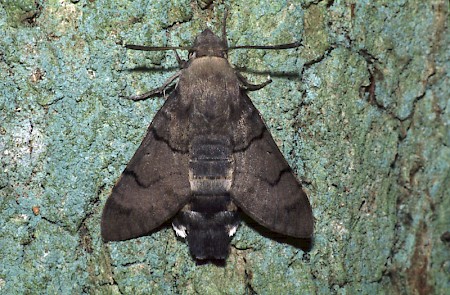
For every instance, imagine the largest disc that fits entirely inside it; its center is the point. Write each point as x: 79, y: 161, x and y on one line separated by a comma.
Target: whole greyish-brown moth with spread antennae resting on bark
x: 206, y: 157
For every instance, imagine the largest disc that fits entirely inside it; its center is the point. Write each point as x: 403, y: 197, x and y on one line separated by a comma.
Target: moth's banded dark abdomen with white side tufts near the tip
x: 210, y: 219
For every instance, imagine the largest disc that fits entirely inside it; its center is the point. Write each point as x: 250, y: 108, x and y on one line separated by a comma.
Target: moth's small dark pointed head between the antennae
x: 208, y: 44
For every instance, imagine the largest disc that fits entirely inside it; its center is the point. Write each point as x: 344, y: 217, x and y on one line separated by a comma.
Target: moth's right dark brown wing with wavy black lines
x: 264, y: 186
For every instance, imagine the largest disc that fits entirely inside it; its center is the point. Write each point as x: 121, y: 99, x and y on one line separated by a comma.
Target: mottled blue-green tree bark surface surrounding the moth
x: 360, y: 111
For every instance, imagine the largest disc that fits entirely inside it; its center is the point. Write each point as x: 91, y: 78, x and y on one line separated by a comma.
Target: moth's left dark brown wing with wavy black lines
x: 154, y: 186
